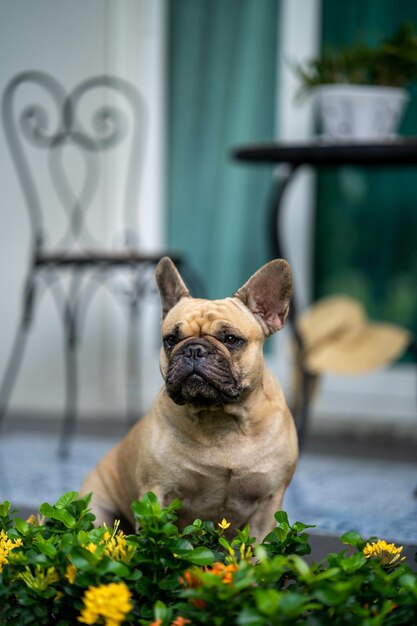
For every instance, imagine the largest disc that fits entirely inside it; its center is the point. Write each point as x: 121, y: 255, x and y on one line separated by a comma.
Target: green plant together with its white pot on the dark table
x: 360, y: 92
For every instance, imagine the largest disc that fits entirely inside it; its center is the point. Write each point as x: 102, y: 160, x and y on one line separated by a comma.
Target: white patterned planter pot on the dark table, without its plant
x: 359, y: 112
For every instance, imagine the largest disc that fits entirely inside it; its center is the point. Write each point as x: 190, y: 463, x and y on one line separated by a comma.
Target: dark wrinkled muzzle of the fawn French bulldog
x: 200, y: 374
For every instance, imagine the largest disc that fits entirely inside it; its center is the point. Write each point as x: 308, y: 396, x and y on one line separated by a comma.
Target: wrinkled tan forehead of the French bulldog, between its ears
x: 197, y: 317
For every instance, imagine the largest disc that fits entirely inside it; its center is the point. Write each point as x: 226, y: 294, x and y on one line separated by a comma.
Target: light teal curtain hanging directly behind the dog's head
x: 221, y: 93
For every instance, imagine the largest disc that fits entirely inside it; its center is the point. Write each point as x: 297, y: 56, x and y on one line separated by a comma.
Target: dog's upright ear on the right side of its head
x: 268, y: 294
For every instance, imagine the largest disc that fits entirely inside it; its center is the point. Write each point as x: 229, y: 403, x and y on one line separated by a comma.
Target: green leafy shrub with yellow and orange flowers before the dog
x: 58, y: 569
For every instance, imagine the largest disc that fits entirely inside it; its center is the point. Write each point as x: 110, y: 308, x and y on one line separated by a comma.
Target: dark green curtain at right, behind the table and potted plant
x: 366, y: 230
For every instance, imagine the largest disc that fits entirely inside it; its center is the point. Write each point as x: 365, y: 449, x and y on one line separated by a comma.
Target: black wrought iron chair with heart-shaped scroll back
x: 77, y: 263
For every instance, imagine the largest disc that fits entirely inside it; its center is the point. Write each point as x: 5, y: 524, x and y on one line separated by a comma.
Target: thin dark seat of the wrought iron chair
x: 98, y: 257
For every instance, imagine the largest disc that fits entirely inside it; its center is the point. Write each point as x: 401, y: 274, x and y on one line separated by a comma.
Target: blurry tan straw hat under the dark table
x: 339, y: 338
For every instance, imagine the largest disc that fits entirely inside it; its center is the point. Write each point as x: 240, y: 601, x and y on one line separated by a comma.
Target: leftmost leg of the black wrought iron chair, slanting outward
x: 16, y: 355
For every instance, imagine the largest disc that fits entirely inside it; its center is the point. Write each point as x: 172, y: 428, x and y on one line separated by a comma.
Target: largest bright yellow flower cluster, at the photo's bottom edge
x: 110, y: 602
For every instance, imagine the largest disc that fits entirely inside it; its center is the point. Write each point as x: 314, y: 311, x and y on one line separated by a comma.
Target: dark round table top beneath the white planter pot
x: 321, y: 153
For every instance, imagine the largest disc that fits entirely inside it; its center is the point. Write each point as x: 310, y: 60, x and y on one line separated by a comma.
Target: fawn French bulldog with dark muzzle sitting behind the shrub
x: 219, y: 435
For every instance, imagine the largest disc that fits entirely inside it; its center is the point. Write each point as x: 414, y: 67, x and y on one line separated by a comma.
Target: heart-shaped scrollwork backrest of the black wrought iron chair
x: 120, y: 119
